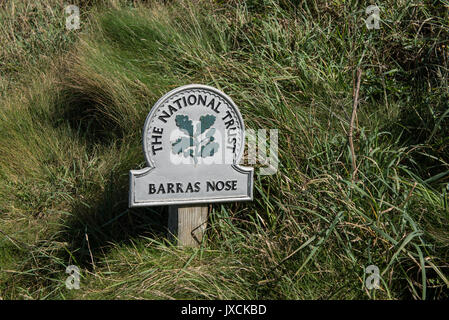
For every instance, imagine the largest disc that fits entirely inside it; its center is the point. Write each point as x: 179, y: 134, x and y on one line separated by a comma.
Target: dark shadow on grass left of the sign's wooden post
x: 97, y: 225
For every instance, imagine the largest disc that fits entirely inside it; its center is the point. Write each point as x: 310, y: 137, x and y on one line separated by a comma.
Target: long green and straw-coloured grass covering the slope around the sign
x: 73, y: 104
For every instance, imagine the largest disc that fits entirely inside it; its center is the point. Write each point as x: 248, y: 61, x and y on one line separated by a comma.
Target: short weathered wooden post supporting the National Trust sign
x: 187, y: 224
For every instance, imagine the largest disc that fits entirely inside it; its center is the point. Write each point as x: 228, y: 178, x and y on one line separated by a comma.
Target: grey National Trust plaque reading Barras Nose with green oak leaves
x: 193, y: 140
